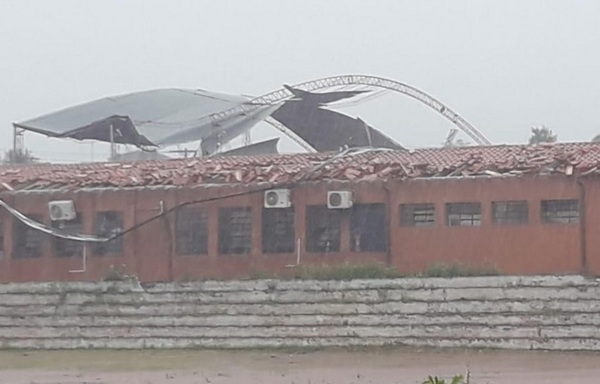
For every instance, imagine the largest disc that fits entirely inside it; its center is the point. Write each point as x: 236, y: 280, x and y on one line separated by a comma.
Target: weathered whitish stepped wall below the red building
x: 552, y: 313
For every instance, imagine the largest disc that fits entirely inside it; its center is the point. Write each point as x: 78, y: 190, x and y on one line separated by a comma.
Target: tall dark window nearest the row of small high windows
x: 368, y: 226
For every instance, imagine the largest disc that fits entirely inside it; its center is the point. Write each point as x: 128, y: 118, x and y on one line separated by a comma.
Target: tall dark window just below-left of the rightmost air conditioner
x: 322, y: 229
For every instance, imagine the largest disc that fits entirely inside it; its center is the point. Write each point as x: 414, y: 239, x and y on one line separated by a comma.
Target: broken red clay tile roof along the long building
x: 567, y: 158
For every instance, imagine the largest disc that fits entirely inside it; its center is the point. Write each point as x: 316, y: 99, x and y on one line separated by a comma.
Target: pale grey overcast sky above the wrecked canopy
x: 503, y: 65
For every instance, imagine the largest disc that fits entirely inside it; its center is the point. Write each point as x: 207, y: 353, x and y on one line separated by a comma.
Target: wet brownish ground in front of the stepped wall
x: 380, y: 366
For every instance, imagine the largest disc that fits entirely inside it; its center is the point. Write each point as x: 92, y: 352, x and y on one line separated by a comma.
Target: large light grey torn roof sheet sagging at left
x: 156, y: 117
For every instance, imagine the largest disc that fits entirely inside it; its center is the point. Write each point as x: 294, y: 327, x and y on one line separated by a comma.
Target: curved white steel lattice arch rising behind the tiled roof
x: 371, y: 81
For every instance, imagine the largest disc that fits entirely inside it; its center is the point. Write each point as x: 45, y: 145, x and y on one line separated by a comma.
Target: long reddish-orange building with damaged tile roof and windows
x: 518, y: 209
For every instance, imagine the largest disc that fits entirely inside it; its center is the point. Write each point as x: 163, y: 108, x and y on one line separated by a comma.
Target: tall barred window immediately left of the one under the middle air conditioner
x: 235, y: 230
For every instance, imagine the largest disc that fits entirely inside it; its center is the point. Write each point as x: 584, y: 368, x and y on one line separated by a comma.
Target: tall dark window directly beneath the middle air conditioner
x: 278, y: 232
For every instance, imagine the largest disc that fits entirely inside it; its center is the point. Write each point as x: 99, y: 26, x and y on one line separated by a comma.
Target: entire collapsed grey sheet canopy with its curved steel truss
x: 164, y: 117
